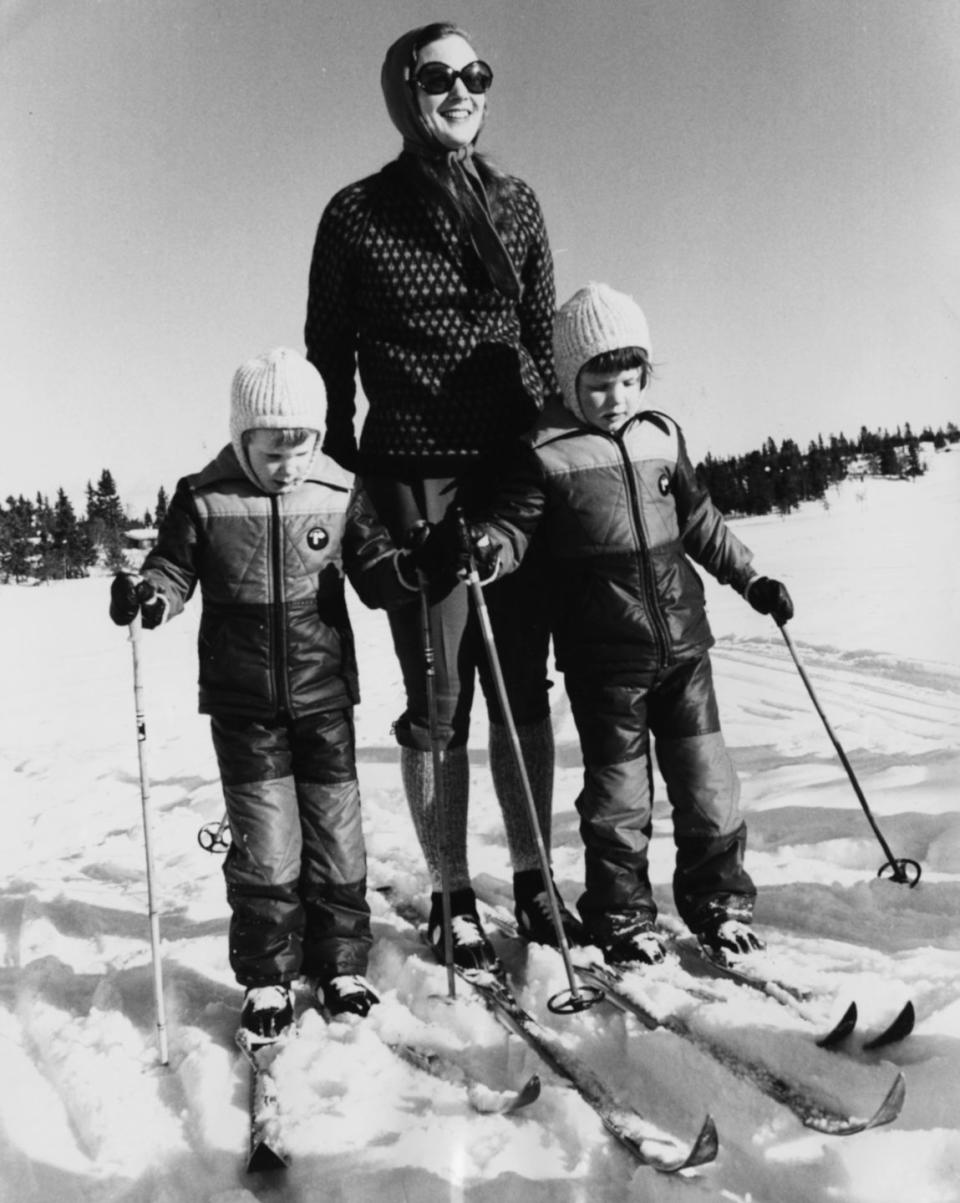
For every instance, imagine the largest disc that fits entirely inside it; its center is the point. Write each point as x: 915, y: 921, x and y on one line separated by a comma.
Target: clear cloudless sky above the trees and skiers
x: 778, y: 182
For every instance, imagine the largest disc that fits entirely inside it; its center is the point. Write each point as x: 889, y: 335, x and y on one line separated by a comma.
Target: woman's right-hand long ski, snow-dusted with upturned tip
x: 811, y: 1110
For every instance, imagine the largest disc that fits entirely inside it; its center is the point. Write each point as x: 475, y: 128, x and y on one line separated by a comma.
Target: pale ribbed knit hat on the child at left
x: 274, y: 392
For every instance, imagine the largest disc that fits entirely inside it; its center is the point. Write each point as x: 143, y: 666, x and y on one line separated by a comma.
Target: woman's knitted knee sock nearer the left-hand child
x: 417, y: 769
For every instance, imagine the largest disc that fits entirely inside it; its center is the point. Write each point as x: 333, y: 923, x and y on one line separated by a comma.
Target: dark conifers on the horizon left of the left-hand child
x: 40, y: 541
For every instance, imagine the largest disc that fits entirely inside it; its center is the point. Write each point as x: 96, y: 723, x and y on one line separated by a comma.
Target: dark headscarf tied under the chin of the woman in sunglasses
x: 405, y: 114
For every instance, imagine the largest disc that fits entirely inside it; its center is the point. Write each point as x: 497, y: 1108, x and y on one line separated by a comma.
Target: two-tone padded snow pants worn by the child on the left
x: 297, y: 869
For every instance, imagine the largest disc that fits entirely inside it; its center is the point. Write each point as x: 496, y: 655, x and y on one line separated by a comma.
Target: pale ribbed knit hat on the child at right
x: 596, y: 319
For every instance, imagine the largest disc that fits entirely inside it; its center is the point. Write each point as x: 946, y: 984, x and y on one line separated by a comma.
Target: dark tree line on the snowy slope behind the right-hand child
x: 780, y: 478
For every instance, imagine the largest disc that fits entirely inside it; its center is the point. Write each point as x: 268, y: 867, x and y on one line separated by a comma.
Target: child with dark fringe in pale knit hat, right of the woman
x: 620, y: 513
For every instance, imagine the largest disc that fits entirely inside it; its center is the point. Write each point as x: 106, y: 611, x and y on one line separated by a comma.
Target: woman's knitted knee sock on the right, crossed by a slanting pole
x: 537, y: 745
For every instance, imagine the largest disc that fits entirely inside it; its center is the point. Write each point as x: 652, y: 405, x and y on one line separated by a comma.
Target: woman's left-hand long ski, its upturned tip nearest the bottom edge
x: 631, y: 1130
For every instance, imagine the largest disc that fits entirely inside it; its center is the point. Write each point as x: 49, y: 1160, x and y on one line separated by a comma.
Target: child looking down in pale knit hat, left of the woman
x: 268, y: 530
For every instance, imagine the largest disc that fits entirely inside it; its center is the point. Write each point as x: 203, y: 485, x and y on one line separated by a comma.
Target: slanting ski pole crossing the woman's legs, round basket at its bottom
x: 577, y: 998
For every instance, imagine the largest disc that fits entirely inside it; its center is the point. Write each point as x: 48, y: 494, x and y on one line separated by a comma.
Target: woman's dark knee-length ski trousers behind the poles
x: 518, y: 617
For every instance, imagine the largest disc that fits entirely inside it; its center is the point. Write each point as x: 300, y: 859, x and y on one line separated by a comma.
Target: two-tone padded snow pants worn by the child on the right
x: 615, y: 724
